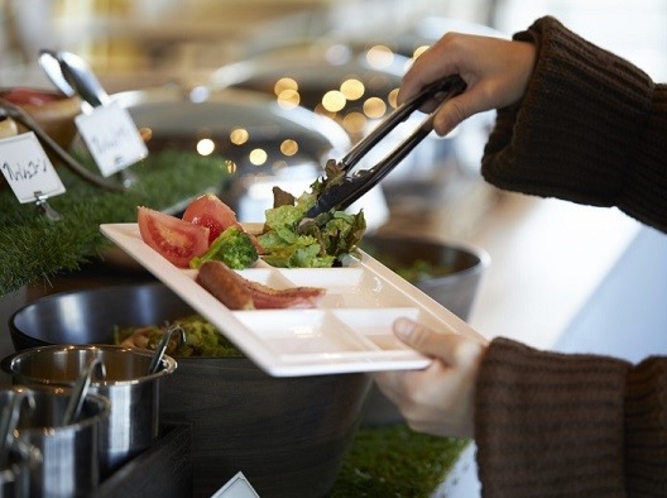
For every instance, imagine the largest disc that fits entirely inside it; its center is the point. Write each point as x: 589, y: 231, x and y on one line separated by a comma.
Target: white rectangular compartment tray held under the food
x: 349, y: 330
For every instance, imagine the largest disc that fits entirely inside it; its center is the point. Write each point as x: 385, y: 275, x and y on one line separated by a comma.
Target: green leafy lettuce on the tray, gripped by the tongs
x: 291, y: 240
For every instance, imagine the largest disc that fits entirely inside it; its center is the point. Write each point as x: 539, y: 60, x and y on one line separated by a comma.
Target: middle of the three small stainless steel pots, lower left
x: 69, y: 465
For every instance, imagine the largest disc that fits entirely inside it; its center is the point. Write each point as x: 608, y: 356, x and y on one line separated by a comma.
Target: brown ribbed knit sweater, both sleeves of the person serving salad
x: 592, y: 128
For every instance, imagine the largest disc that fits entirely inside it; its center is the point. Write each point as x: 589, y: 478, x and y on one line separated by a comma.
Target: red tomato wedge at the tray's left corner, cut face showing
x: 177, y: 240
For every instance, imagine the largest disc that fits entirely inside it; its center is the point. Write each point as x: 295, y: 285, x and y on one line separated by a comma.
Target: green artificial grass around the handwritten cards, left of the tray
x: 33, y: 248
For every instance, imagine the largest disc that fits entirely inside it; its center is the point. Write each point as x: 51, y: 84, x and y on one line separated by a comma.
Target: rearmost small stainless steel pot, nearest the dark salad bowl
x: 133, y: 424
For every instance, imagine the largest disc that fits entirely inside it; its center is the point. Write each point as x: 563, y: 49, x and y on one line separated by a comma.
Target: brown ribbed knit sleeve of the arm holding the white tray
x: 550, y: 424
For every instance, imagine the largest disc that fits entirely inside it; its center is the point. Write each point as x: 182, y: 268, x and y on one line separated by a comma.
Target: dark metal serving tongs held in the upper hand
x: 342, y: 195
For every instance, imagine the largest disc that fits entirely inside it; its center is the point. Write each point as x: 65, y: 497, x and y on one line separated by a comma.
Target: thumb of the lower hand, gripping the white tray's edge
x: 451, y: 349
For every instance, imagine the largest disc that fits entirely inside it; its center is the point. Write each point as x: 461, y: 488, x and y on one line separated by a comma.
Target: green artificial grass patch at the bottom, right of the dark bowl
x: 395, y: 462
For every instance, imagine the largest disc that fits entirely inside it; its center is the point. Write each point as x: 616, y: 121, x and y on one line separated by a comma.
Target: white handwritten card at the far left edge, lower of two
x: 27, y: 168
